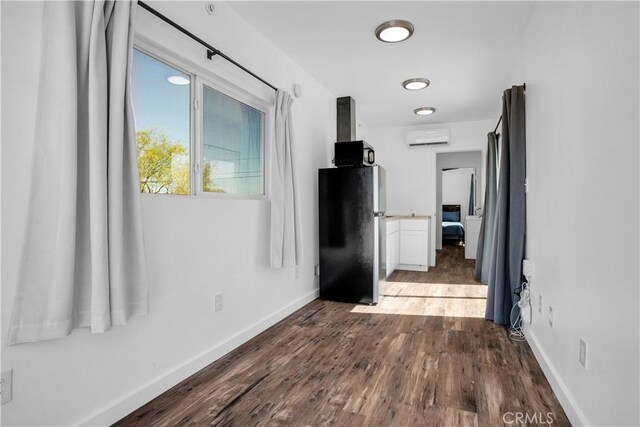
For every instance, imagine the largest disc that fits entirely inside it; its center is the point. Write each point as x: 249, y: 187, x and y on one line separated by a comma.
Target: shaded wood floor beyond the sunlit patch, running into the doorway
x: 451, y: 267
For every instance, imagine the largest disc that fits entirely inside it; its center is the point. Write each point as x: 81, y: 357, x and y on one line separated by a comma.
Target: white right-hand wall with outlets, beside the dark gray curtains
x: 580, y: 63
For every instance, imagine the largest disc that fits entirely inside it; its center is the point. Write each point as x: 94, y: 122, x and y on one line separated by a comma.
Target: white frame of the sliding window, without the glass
x: 201, y: 77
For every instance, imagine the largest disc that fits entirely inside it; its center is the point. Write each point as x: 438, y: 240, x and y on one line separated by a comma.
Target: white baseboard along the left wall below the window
x: 138, y: 397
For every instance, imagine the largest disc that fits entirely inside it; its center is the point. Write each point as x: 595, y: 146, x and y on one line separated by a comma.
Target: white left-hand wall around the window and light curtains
x: 195, y: 247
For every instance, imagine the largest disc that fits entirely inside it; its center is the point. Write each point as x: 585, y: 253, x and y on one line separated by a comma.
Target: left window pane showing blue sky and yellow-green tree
x: 162, y: 105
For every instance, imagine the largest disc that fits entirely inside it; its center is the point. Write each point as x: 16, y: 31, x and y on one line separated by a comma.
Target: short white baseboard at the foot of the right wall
x: 566, y: 399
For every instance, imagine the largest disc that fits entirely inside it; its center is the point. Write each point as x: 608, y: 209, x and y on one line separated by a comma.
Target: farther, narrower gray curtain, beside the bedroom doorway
x: 485, y: 239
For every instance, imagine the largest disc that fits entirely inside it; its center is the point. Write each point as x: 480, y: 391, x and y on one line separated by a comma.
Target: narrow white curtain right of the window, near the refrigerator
x: 285, y: 219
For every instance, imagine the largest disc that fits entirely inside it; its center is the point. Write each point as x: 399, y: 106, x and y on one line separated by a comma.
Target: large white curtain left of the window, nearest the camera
x: 82, y: 262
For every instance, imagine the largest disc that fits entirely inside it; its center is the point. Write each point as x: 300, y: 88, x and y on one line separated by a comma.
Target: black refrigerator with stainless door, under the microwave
x: 352, y: 203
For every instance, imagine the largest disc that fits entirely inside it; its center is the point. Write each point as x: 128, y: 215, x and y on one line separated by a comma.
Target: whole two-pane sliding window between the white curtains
x: 228, y: 158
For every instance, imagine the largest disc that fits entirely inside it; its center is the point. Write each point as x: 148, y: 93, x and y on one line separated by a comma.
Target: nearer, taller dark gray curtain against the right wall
x: 505, y: 275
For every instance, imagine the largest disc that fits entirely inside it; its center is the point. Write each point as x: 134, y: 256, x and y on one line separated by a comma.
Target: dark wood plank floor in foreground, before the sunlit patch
x: 328, y: 364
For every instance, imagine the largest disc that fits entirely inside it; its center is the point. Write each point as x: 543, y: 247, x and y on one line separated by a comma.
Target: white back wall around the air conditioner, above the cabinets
x: 411, y: 172
